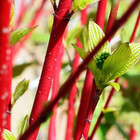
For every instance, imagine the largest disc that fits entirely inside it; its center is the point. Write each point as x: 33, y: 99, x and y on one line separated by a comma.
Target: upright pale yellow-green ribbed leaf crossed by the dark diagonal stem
x: 95, y: 36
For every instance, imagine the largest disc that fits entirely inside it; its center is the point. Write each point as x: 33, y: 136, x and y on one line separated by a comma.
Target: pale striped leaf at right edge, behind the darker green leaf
x: 131, y: 61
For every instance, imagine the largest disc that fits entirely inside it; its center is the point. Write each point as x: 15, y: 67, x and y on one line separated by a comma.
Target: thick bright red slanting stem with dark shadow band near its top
x: 59, y: 26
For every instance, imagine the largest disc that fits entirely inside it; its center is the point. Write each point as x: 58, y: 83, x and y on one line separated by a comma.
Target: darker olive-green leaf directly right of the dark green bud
x: 117, y: 60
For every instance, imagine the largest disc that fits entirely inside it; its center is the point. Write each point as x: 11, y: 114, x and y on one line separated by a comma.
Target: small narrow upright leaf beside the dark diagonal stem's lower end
x: 24, y: 125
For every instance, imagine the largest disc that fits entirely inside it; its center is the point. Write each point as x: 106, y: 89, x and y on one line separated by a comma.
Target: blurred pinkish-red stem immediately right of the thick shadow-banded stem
x: 52, y: 126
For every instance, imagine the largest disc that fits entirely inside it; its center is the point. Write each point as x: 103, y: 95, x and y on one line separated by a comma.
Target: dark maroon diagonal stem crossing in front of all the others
x: 63, y: 90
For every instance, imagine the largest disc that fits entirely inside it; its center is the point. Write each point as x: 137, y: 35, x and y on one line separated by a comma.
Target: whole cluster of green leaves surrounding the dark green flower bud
x: 113, y: 66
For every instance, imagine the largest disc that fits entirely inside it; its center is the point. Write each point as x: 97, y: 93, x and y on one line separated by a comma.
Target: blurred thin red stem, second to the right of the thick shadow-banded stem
x: 71, y: 109
